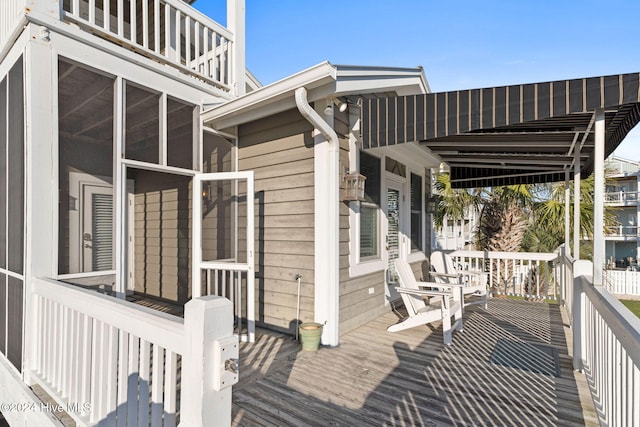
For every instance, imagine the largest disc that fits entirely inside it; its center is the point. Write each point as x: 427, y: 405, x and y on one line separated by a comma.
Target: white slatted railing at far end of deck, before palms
x: 525, y: 274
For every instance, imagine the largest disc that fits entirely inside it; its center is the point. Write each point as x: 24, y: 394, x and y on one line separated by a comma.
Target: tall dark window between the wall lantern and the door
x: 369, y: 245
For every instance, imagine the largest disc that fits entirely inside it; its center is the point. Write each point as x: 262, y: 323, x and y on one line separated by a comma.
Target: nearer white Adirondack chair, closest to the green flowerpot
x: 445, y: 302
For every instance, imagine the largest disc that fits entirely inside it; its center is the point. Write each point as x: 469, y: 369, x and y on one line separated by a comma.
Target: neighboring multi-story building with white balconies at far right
x: 623, y: 240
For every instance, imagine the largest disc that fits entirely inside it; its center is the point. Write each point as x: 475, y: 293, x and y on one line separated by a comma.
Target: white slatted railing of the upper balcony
x: 168, y: 31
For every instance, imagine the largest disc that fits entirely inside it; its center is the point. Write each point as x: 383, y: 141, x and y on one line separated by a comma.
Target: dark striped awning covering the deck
x: 505, y: 135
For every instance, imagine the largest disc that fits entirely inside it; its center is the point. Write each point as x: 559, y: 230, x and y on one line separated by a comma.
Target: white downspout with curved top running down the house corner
x: 326, y: 277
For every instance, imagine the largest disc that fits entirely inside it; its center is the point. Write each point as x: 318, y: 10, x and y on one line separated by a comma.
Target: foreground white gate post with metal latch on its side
x: 209, y: 366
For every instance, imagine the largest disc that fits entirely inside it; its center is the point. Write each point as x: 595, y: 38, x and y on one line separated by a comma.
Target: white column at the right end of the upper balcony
x: 236, y: 24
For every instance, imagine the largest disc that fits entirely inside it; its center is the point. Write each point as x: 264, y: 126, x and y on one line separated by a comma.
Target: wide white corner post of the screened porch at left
x: 41, y: 179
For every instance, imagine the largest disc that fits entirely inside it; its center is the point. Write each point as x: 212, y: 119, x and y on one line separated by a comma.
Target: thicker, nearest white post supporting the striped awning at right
x: 598, y: 198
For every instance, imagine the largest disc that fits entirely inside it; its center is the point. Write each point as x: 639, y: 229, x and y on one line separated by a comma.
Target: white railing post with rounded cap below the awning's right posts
x: 580, y: 268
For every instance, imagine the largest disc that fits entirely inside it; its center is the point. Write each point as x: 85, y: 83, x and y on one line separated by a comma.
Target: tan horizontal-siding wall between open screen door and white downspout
x: 279, y: 149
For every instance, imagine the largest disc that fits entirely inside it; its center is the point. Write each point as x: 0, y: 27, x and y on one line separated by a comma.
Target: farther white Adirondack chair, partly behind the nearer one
x: 475, y: 282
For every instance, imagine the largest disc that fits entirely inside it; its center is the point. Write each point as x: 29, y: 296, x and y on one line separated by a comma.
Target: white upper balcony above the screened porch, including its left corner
x: 169, y: 32
